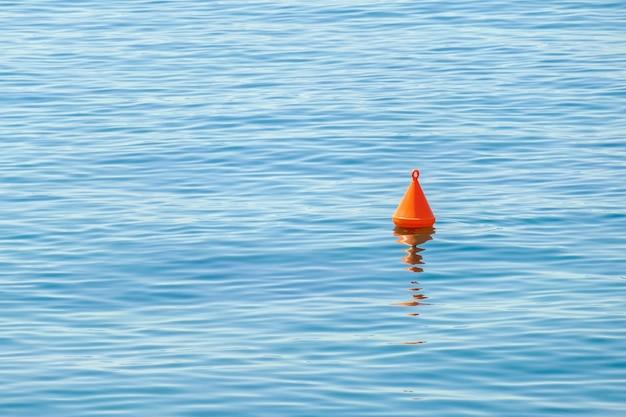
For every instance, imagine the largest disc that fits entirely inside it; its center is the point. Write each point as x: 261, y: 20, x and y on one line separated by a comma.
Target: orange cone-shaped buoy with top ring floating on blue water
x: 413, y: 211
